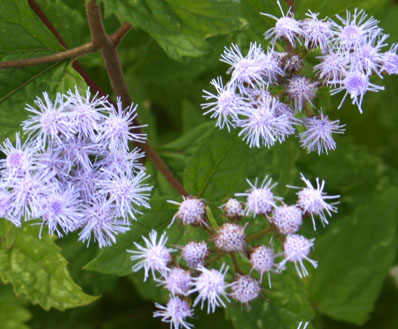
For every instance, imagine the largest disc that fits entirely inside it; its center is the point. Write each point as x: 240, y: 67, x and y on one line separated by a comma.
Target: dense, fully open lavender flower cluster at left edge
x: 75, y: 170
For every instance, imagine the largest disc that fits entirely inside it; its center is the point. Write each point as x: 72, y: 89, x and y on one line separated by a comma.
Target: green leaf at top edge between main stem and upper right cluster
x: 180, y: 27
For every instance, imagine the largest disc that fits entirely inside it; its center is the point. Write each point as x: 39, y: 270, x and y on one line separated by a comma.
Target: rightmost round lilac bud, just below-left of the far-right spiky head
x: 287, y: 219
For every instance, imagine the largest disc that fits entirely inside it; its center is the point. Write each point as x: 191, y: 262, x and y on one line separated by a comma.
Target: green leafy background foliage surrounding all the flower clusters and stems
x: 169, y: 57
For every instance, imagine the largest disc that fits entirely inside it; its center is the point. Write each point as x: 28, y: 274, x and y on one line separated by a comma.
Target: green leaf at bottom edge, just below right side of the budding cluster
x: 286, y: 304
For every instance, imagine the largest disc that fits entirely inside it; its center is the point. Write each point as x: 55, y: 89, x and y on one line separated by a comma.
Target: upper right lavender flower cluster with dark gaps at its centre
x: 267, y: 96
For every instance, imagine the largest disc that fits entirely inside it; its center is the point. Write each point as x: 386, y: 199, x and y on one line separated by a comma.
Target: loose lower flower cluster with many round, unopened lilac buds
x: 197, y: 274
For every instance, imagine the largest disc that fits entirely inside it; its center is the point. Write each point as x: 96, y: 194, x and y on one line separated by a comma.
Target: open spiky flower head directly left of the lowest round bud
x: 211, y: 287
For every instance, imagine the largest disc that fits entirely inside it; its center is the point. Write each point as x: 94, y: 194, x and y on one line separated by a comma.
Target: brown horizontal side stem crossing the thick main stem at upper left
x: 87, y: 48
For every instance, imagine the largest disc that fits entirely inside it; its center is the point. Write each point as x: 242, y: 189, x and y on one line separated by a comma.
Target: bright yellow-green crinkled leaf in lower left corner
x: 36, y: 268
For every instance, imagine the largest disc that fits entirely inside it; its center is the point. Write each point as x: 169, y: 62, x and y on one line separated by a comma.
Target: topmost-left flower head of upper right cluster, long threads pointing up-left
x: 286, y: 28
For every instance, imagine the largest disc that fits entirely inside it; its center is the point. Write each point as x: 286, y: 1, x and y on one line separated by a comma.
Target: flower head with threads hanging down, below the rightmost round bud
x: 296, y: 249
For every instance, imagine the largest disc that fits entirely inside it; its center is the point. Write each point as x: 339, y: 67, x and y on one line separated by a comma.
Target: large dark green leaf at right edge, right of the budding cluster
x: 355, y: 256
